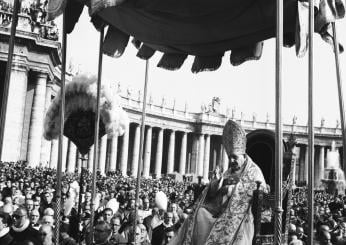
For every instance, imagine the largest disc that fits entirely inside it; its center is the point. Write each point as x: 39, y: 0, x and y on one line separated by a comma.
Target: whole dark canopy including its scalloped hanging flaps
x: 204, y: 29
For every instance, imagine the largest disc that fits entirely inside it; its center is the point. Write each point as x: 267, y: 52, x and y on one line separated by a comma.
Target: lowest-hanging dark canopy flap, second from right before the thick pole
x: 206, y: 63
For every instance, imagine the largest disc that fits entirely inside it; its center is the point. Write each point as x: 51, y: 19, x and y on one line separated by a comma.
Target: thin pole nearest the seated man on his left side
x: 140, y: 159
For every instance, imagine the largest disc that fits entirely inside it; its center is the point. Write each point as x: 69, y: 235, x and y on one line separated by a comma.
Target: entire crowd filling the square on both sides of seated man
x: 27, y: 206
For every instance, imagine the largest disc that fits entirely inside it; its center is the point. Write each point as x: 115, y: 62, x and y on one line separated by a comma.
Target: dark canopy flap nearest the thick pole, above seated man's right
x: 246, y: 53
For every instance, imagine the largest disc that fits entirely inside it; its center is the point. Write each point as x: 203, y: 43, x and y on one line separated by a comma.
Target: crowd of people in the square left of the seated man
x: 28, y: 205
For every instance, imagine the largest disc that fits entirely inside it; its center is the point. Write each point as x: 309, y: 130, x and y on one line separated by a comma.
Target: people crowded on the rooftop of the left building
x: 36, y: 11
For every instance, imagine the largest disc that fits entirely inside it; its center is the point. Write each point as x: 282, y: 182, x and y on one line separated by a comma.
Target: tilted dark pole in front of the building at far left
x: 16, y: 9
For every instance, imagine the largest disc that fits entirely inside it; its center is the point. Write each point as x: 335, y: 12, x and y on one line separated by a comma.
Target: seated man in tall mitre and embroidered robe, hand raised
x: 223, y: 213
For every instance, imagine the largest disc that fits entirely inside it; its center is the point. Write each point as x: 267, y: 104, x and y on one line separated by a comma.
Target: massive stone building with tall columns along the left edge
x: 33, y: 80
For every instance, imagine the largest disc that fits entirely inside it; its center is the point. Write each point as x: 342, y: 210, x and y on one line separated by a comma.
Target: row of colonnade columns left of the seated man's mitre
x: 165, y: 151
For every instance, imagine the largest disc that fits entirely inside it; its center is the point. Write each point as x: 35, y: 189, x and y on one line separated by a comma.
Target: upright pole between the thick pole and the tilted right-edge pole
x: 311, y: 128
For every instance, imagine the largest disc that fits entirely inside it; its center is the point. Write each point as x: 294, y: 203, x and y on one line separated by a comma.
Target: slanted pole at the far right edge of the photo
x: 340, y: 93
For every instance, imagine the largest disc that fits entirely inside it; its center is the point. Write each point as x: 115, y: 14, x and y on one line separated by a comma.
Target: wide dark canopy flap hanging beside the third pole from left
x: 115, y: 42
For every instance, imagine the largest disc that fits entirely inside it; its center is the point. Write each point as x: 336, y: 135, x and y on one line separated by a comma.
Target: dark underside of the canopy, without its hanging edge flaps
x: 199, y: 27
